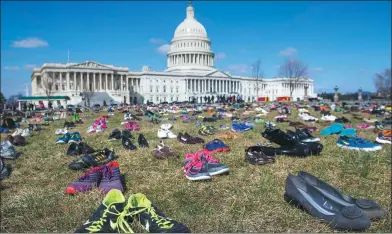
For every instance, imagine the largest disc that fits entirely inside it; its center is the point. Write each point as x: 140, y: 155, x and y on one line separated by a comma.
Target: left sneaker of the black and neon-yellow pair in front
x: 109, y: 217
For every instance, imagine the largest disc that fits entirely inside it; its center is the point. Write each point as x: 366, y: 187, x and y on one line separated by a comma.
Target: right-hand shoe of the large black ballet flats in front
x: 370, y: 207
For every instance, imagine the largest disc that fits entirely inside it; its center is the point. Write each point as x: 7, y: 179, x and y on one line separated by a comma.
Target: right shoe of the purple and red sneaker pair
x: 111, y: 178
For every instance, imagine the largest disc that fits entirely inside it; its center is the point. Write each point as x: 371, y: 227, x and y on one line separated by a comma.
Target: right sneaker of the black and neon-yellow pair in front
x: 152, y: 219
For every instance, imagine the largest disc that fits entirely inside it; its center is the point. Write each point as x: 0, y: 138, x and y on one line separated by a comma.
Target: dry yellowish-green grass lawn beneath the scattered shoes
x: 249, y: 199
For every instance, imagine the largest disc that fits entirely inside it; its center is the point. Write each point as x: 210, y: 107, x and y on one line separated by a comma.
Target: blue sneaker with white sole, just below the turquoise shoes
x: 357, y: 143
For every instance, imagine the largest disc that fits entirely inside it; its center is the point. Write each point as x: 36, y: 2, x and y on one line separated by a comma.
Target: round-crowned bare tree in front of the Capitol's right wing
x: 295, y: 72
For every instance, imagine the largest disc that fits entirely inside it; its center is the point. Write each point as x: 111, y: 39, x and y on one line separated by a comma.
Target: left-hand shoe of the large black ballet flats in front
x: 326, y: 208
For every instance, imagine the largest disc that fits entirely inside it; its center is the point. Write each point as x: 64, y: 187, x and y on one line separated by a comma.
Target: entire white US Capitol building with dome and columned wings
x: 190, y: 74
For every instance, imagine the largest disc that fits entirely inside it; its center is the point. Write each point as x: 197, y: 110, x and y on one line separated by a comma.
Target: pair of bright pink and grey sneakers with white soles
x: 201, y: 166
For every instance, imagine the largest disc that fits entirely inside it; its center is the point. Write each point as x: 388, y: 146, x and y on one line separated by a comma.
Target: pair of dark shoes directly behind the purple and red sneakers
x: 92, y: 160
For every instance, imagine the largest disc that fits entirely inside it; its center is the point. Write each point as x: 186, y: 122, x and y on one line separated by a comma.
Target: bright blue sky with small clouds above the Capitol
x: 343, y: 43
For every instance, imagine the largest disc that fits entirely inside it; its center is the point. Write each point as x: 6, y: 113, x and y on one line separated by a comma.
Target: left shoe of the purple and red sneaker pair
x: 87, y: 182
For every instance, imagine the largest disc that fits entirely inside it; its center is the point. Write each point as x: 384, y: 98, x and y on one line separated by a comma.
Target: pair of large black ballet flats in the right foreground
x: 325, y: 202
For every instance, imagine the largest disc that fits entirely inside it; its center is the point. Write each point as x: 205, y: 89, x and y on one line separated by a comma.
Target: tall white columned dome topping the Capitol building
x: 190, y: 48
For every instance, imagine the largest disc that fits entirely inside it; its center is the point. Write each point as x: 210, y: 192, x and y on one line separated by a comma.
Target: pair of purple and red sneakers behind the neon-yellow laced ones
x: 105, y: 177
